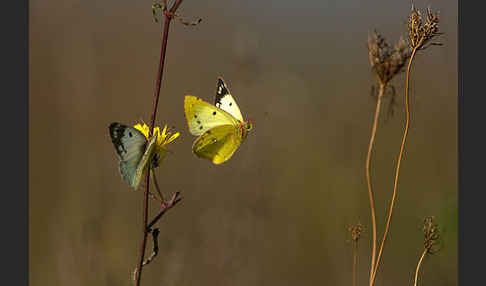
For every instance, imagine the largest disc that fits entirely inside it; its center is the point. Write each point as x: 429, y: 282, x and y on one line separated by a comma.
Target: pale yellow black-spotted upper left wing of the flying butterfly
x: 202, y: 116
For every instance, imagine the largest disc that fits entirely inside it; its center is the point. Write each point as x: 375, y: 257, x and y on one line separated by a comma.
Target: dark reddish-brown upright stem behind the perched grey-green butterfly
x: 168, y: 18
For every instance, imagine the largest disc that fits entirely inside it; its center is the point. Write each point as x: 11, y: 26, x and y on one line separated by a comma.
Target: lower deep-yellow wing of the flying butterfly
x: 218, y: 144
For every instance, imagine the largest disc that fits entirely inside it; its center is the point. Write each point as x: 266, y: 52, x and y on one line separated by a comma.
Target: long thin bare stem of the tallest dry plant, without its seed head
x: 397, y: 172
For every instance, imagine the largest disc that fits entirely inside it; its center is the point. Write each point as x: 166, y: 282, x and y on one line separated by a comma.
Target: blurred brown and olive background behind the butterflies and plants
x: 278, y: 212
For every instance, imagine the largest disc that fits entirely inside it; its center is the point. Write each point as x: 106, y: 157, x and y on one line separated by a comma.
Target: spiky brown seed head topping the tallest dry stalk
x: 420, y: 33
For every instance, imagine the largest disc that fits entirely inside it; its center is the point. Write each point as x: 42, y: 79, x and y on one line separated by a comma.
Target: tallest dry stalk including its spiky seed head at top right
x: 420, y: 34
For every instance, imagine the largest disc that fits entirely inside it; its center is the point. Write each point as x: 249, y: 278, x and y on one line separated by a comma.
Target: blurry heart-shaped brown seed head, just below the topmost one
x: 386, y: 61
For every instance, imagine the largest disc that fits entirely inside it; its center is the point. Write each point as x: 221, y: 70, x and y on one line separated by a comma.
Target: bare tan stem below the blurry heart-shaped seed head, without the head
x: 368, y: 175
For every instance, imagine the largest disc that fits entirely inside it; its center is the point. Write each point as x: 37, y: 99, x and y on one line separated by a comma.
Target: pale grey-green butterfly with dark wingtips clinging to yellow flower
x: 134, y: 151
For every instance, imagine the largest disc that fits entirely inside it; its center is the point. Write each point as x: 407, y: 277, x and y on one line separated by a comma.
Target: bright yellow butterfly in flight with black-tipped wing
x: 220, y: 127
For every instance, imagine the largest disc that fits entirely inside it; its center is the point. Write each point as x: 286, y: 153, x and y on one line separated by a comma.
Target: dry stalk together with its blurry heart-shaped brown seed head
x: 386, y: 62
